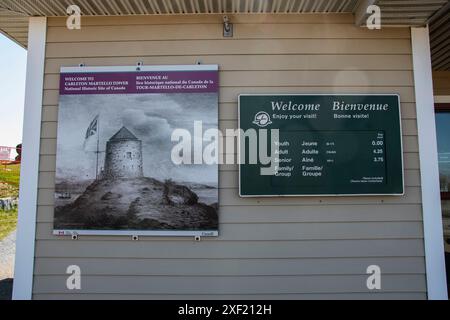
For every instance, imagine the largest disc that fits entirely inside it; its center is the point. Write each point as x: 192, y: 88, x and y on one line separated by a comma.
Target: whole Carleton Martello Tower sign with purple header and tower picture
x: 114, y: 171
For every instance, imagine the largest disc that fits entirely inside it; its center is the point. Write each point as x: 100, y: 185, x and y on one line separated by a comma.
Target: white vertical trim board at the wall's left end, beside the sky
x: 24, y: 265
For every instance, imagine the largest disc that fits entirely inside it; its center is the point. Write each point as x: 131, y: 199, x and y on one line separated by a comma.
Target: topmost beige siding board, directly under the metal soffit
x: 210, y: 19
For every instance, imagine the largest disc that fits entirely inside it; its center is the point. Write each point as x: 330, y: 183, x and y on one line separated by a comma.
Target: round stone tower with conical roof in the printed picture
x: 123, y: 156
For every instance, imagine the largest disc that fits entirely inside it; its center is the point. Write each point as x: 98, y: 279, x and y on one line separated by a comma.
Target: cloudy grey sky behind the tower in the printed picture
x: 151, y: 117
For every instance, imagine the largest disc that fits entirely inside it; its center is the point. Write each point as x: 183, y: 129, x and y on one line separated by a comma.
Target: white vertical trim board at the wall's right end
x: 429, y: 170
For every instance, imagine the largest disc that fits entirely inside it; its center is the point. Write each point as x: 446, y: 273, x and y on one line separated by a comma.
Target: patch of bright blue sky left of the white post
x: 12, y: 90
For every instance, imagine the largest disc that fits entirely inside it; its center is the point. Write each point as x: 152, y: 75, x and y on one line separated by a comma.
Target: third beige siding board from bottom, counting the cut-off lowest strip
x: 228, y: 267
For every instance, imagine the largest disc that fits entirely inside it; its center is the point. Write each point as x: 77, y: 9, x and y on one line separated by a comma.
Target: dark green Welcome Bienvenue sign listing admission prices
x: 327, y: 145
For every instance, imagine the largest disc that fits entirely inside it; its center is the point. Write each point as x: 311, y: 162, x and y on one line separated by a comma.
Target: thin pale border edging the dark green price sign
x: 323, y: 195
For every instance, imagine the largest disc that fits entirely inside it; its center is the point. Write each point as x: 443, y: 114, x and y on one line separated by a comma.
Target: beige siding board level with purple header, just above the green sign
x: 296, y: 78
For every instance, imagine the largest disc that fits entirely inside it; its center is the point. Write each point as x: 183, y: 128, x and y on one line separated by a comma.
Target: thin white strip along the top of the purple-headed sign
x: 169, y: 68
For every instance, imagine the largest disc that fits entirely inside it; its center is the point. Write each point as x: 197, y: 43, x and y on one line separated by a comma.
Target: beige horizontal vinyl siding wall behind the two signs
x: 312, y: 247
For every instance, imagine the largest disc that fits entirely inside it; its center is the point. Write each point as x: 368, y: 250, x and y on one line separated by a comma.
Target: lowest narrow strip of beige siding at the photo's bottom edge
x: 318, y: 296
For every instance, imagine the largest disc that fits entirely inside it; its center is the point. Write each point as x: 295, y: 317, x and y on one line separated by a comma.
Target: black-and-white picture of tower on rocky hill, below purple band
x: 115, y: 170
